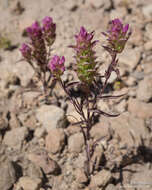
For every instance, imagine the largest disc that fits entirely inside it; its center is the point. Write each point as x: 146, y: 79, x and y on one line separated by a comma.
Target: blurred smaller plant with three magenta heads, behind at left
x: 37, y: 51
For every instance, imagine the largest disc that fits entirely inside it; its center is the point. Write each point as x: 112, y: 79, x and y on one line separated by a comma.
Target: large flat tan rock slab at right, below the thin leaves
x: 128, y: 127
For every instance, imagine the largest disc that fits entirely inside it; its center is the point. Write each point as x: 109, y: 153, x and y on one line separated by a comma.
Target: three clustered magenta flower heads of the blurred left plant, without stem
x: 36, y: 49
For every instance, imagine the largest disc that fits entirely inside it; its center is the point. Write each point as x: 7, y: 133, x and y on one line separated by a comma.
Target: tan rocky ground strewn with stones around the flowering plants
x: 39, y: 147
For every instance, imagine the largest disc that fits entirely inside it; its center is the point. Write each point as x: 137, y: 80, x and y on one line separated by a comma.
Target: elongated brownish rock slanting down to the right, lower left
x: 48, y: 165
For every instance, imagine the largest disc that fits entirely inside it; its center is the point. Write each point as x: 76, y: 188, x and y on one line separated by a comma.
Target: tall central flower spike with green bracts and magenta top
x: 85, y: 56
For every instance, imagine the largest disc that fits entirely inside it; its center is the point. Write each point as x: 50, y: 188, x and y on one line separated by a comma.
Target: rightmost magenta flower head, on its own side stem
x: 117, y: 35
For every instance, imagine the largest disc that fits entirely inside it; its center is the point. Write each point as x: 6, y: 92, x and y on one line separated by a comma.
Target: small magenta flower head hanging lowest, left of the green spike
x: 56, y: 65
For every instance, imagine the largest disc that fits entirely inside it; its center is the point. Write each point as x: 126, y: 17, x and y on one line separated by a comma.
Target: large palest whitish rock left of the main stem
x: 51, y: 117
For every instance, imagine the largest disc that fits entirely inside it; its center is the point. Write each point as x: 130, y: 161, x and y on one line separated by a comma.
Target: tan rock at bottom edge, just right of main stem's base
x: 101, y: 179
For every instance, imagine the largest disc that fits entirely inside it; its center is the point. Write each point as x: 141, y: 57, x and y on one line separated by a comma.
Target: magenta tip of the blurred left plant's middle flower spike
x: 34, y: 31
